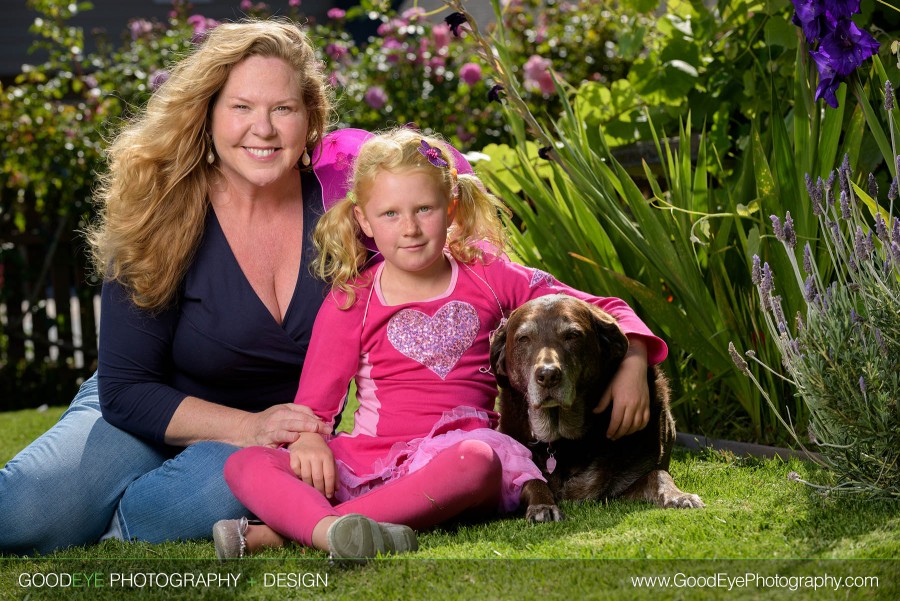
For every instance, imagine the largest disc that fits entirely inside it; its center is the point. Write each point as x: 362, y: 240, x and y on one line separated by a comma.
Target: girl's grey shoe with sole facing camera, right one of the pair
x: 355, y: 536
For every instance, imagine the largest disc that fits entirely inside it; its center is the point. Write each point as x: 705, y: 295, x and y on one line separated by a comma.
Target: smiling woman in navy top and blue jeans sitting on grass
x: 207, y: 303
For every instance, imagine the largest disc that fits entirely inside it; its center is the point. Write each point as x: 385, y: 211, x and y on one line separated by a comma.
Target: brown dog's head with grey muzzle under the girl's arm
x: 560, y: 353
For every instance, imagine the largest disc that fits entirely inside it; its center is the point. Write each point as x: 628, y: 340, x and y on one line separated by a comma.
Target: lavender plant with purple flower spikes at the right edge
x: 843, y: 354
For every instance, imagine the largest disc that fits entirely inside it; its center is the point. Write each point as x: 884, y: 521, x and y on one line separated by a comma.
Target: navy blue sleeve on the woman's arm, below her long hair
x: 134, y: 361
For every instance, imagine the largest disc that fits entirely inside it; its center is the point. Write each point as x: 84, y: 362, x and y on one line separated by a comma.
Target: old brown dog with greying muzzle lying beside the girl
x: 553, y: 360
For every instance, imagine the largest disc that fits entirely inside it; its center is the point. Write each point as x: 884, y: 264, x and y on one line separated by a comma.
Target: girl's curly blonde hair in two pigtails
x: 338, y: 239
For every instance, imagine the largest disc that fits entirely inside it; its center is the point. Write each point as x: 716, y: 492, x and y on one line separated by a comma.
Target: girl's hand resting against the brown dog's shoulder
x: 629, y: 393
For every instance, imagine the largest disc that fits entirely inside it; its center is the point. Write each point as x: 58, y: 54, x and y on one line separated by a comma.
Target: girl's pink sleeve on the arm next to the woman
x: 332, y: 358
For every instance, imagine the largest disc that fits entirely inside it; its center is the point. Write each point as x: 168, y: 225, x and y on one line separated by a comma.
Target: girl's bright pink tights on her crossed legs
x: 463, y: 479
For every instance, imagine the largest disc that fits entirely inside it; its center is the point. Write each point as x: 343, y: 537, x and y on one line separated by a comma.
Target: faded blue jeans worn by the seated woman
x: 84, y: 477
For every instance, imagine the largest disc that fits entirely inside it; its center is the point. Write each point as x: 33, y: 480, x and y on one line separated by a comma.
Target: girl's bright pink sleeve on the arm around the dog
x: 521, y: 284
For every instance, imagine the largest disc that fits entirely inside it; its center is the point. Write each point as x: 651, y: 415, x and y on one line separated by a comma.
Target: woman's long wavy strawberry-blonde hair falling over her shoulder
x: 152, y: 201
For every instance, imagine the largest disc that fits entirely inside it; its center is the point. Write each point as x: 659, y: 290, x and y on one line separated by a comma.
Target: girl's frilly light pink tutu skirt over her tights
x: 462, y: 423
